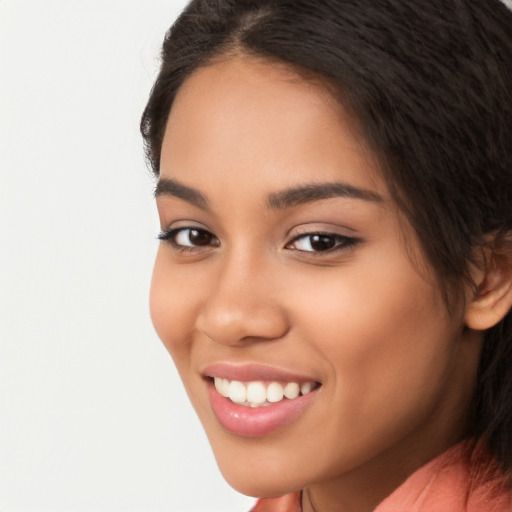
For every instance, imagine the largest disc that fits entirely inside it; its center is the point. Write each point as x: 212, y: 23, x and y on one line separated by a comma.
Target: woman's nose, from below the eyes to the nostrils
x: 243, y: 305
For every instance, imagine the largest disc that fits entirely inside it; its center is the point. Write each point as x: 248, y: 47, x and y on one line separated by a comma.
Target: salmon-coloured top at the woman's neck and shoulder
x: 465, y: 478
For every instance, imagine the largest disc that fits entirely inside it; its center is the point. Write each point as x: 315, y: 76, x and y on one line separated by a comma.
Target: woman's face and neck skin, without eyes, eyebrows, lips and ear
x: 364, y: 319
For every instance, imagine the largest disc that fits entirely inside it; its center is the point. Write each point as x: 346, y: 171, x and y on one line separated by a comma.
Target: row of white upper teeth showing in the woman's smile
x: 257, y: 394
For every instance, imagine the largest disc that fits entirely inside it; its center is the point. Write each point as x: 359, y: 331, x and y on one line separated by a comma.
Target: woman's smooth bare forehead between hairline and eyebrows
x: 244, y: 117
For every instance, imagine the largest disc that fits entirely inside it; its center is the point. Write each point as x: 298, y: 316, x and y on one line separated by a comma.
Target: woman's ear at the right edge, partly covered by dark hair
x: 493, y: 297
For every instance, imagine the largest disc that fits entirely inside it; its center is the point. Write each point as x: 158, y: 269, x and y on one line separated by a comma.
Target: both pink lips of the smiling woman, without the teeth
x: 258, y: 421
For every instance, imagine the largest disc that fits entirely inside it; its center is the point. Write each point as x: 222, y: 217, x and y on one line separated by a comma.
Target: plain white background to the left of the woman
x: 92, y: 414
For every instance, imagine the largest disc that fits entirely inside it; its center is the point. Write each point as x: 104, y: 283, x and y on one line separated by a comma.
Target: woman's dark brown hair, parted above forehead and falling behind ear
x: 431, y: 84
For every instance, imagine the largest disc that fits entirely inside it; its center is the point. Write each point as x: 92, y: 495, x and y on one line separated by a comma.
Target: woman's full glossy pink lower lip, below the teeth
x: 256, y: 421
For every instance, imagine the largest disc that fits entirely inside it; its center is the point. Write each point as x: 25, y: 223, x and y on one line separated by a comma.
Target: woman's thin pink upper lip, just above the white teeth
x: 253, y: 372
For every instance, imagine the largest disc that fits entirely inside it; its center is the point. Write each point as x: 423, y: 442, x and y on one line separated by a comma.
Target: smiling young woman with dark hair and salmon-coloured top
x: 335, y: 274
